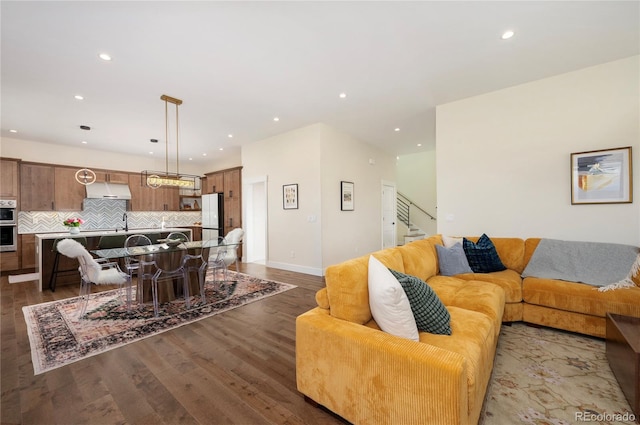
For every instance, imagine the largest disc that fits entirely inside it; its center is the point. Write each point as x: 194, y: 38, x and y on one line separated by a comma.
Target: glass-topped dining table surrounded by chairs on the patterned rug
x: 168, y: 256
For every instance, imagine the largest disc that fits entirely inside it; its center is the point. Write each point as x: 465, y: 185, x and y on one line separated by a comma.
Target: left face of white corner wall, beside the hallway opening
x: 294, y: 242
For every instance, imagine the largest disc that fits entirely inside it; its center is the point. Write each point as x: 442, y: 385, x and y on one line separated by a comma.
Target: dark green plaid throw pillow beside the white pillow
x: 430, y: 314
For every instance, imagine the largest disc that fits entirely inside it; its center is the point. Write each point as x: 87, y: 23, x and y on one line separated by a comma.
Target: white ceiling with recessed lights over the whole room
x: 237, y: 65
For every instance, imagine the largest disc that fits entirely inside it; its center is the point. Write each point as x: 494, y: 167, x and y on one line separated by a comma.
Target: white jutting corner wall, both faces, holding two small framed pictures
x: 318, y: 233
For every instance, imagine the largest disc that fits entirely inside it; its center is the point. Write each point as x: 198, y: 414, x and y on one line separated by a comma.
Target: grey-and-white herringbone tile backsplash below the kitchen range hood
x: 101, y: 214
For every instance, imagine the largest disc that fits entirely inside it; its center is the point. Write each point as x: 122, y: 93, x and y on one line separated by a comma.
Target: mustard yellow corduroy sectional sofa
x: 347, y: 364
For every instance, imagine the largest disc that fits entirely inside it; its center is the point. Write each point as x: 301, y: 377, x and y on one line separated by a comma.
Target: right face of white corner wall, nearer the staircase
x: 347, y: 234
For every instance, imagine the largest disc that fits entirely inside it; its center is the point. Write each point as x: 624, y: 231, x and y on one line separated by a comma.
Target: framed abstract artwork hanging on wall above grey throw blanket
x: 602, y: 177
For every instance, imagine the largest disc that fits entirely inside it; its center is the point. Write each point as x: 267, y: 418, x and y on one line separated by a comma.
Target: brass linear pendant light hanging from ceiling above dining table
x: 156, y: 179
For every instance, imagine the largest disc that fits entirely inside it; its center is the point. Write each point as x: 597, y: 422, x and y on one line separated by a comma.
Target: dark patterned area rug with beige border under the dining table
x: 59, y: 337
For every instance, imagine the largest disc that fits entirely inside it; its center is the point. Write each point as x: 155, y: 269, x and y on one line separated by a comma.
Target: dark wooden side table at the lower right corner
x: 623, y: 354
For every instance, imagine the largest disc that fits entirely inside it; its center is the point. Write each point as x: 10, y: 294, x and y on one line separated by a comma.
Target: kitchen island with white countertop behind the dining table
x: 45, y: 256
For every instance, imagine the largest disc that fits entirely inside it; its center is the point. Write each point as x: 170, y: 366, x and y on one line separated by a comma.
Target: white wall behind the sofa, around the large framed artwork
x: 503, y: 158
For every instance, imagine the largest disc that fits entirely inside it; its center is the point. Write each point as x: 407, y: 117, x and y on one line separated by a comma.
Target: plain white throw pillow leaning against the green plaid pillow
x: 388, y: 302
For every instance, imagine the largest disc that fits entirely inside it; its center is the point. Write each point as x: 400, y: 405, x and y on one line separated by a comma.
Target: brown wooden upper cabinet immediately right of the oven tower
x: 37, y: 186
